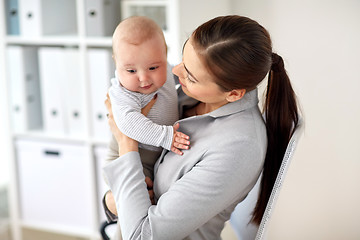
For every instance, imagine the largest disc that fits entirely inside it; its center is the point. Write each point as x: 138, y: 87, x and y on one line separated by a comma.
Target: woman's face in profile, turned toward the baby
x: 195, y: 79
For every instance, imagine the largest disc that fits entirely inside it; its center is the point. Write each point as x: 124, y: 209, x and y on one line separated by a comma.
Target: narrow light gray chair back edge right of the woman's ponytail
x: 279, y: 180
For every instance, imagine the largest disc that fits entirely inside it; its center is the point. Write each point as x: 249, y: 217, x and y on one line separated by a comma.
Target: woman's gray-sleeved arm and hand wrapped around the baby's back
x: 191, y: 201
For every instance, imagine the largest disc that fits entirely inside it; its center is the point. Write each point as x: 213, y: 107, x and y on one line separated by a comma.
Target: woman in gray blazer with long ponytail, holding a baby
x: 223, y: 62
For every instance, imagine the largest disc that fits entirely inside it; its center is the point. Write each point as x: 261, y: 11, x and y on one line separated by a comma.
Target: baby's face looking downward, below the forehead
x: 141, y: 68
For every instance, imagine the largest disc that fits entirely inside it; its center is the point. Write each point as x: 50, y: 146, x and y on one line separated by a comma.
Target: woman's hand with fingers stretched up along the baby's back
x: 125, y: 143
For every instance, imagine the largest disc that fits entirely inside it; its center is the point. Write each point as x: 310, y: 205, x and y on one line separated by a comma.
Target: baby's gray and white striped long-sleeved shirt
x: 154, y: 130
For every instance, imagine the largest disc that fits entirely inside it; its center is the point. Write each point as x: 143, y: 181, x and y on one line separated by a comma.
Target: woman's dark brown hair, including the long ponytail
x: 238, y: 52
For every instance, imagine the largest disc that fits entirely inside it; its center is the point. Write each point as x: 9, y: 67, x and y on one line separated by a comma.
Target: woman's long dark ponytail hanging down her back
x: 281, y: 115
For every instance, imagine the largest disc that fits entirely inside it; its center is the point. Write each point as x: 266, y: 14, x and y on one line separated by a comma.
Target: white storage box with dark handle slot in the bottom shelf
x: 54, y: 185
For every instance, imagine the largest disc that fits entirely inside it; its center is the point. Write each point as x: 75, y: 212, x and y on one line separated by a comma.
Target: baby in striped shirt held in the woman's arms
x: 142, y: 73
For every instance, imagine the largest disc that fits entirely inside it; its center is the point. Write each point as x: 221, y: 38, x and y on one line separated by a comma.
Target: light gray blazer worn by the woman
x: 196, y: 192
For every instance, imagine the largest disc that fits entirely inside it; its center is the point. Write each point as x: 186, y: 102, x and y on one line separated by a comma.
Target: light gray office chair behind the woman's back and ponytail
x: 240, y: 218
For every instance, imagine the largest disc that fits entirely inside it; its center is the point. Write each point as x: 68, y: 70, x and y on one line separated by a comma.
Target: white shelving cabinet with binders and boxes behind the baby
x: 55, y: 70
